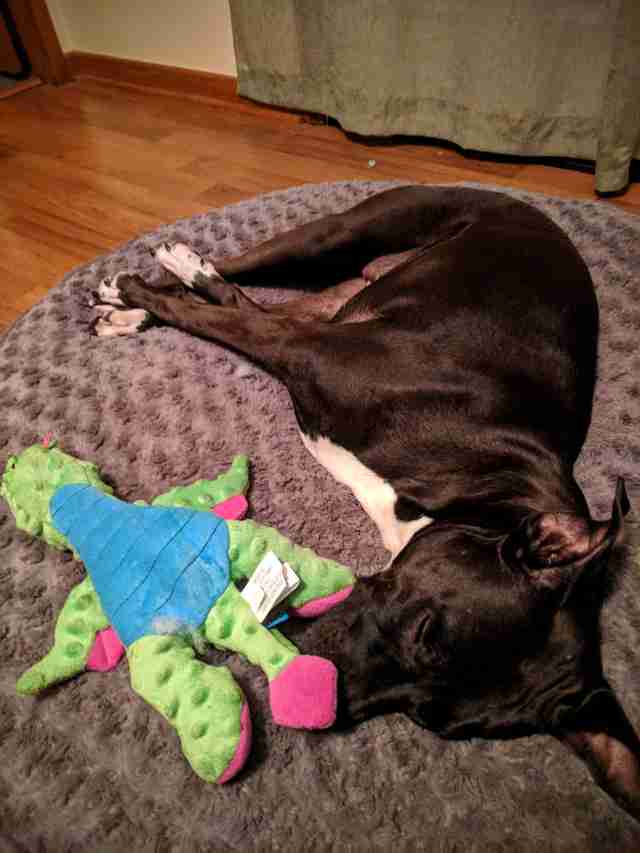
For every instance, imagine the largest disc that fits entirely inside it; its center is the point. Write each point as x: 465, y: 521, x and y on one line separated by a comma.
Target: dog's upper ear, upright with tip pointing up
x: 556, y: 548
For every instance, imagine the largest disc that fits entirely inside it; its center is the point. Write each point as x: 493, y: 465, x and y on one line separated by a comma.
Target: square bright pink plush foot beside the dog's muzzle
x: 305, y: 694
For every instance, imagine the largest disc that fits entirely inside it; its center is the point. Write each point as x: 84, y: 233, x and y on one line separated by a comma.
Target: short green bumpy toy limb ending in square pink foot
x: 231, y: 624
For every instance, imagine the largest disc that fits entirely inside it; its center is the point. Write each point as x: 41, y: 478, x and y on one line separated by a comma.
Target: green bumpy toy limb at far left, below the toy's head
x: 78, y: 623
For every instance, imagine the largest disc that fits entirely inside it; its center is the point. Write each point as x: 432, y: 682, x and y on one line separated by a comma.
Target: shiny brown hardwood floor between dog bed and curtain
x: 87, y: 166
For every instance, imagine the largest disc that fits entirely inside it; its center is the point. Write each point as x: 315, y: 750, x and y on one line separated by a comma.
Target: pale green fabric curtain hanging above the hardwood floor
x: 505, y: 76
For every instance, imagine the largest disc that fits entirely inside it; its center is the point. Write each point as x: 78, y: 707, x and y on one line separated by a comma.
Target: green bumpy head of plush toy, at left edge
x: 30, y: 480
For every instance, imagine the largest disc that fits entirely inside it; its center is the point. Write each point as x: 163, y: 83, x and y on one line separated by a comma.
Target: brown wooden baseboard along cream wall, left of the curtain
x: 130, y: 73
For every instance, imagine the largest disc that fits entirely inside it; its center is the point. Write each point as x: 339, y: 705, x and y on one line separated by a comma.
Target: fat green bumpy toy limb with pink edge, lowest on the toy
x: 203, y: 703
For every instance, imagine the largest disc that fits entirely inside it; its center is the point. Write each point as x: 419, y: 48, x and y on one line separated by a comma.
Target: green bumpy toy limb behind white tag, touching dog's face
x: 249, y: 542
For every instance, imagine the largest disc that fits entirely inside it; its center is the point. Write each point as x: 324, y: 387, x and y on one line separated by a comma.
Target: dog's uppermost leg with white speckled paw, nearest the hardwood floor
x: 349, y: 249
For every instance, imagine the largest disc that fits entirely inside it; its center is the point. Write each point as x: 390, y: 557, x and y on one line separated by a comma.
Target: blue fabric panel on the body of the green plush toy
x: 156, y: 570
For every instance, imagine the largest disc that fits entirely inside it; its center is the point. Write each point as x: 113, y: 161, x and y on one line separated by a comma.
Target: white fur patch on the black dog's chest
x: 376, y: 495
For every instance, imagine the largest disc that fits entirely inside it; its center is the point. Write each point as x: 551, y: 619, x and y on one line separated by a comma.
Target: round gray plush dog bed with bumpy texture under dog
x: 89, y: 767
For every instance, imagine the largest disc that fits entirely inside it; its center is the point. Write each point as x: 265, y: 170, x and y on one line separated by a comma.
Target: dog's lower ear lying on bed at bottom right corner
x: 599, y: 732
